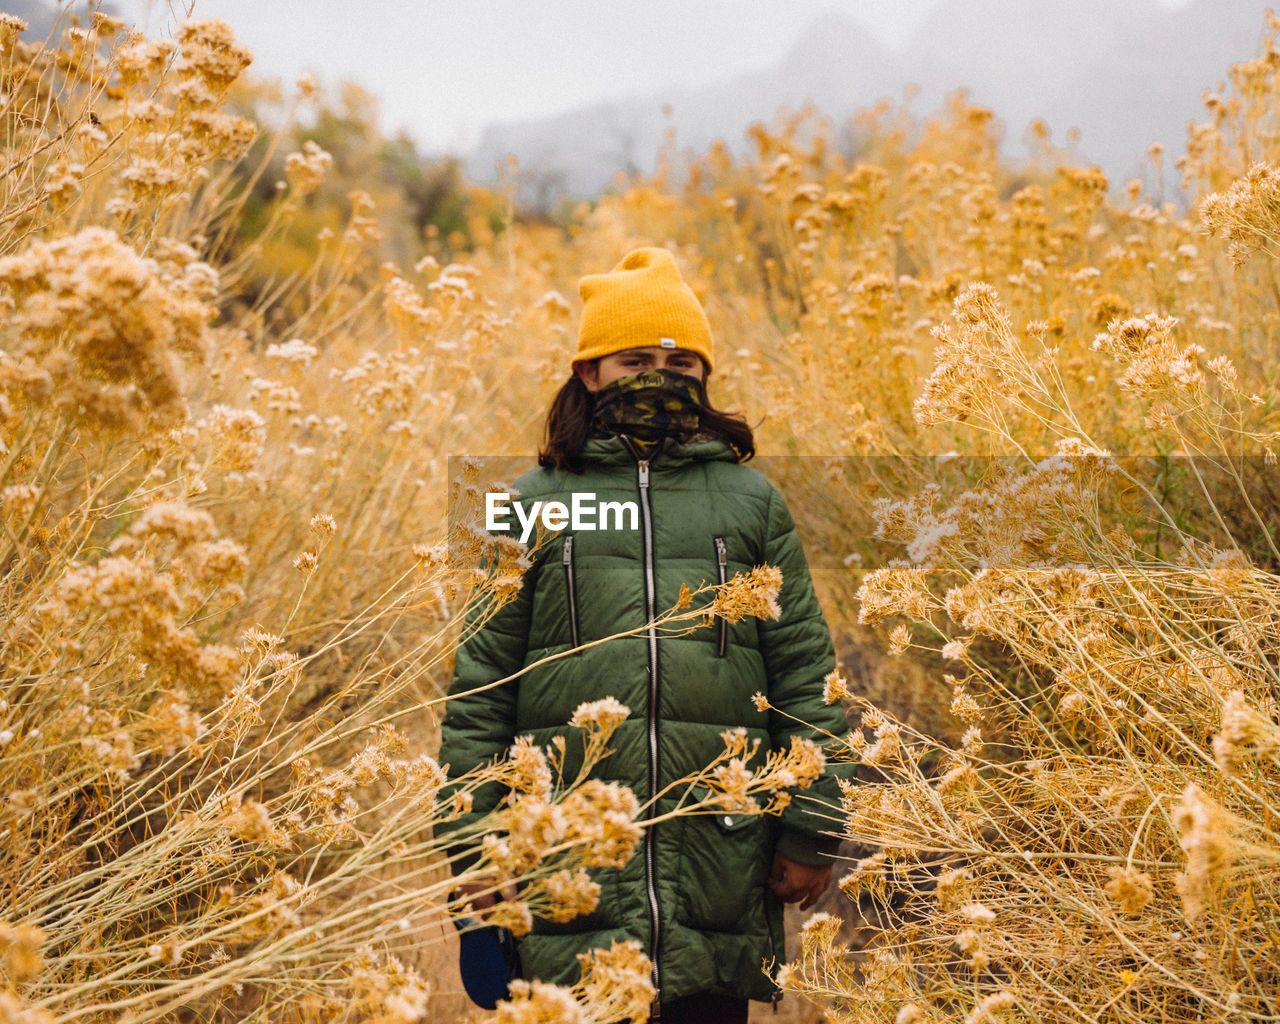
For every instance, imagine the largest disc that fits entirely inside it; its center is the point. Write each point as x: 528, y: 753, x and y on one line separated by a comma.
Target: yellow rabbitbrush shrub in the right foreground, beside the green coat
x: 1101, y: 839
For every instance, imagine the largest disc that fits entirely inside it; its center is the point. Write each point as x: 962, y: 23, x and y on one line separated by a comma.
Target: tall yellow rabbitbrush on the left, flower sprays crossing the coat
x: 228, y: 593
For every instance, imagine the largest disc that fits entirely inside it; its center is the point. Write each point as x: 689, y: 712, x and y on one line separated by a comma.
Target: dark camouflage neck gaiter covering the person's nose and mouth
x: 648, y: 408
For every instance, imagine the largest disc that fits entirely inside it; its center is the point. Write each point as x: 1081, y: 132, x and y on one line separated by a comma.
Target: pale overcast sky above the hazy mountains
x: 446, y: 70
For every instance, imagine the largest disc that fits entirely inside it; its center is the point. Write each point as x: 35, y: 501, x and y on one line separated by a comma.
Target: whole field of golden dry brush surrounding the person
x: 1031, y: 426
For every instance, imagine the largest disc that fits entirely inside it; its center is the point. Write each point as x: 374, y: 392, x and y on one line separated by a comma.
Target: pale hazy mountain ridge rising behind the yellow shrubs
x: 1123, y: 74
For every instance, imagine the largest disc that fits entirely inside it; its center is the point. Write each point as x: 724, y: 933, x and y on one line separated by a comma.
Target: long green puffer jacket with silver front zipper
x: 696, y: 894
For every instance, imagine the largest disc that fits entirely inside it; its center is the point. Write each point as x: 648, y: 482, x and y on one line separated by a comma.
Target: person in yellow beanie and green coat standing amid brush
x: 705, y: 893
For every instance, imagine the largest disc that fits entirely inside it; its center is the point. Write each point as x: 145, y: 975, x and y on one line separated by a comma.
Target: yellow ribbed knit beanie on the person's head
x: 642, y: 303
